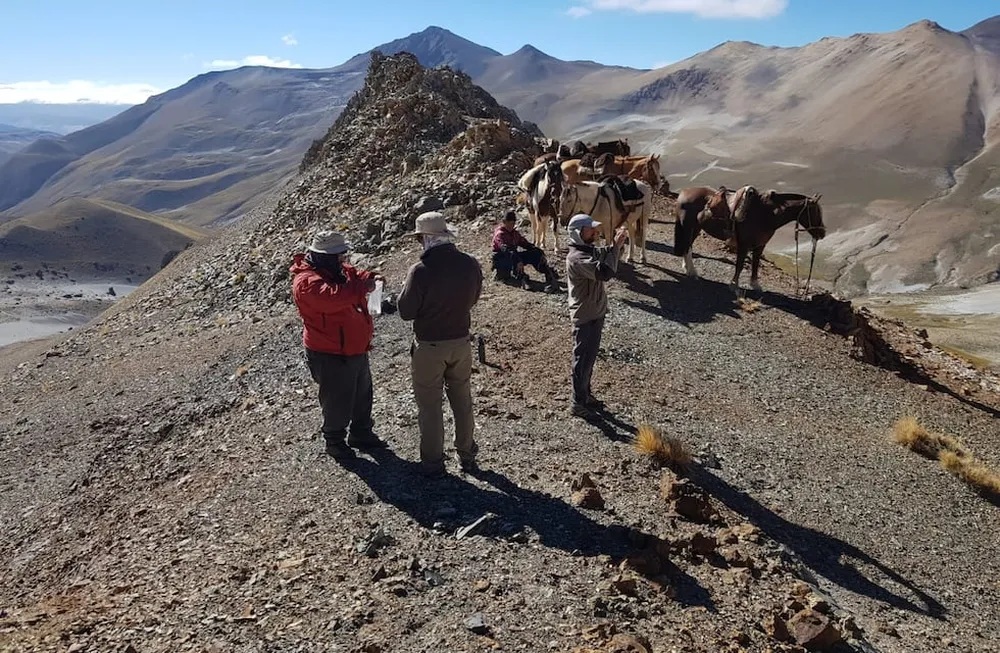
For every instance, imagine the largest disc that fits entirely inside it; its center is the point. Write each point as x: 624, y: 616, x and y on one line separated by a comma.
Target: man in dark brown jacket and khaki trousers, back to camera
x: 438, y: 296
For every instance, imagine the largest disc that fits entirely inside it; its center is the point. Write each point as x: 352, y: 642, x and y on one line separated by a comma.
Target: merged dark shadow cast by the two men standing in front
x: 514, y: 513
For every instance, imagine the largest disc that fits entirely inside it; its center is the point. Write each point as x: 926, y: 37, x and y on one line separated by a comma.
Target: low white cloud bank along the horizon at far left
x: 76, y: 91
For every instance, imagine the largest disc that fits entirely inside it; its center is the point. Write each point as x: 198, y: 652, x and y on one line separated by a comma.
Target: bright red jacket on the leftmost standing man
x: 335, y: 317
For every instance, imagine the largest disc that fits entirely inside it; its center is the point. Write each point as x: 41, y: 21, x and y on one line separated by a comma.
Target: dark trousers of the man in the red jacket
x: 345, y: 393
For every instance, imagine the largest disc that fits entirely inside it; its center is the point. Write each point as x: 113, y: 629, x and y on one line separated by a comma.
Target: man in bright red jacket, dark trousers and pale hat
x: 337, y: 330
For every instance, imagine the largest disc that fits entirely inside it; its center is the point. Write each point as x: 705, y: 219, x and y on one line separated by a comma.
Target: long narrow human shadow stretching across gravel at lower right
x: 822, y: 553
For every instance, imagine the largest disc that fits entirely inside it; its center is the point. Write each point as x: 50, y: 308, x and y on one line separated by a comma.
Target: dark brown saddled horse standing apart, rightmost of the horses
x: 745, y: 215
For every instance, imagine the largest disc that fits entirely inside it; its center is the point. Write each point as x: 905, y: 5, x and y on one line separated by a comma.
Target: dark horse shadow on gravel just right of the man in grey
x: 685, y: 300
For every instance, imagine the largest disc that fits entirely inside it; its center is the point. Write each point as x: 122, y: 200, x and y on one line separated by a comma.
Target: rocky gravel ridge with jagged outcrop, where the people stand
x: 165, y: 487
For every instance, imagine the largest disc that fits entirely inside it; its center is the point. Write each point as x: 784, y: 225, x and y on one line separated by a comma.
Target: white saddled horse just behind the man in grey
x: 601, y: 202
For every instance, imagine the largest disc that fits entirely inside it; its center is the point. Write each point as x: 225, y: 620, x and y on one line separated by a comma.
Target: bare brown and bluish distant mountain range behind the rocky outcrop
x: 899, y: 131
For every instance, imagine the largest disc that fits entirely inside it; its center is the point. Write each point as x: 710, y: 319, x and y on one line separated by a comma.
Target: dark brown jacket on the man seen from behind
x: 439, y: 294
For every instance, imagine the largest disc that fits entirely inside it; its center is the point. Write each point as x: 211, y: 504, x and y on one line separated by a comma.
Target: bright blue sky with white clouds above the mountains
x: 125, y: 50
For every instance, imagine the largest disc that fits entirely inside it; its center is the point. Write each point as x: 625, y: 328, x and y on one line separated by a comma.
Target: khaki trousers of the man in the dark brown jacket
x: 436, y: 366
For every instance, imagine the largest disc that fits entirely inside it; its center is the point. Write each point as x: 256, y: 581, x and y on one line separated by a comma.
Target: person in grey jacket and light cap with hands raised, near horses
x: 587, y: 269
